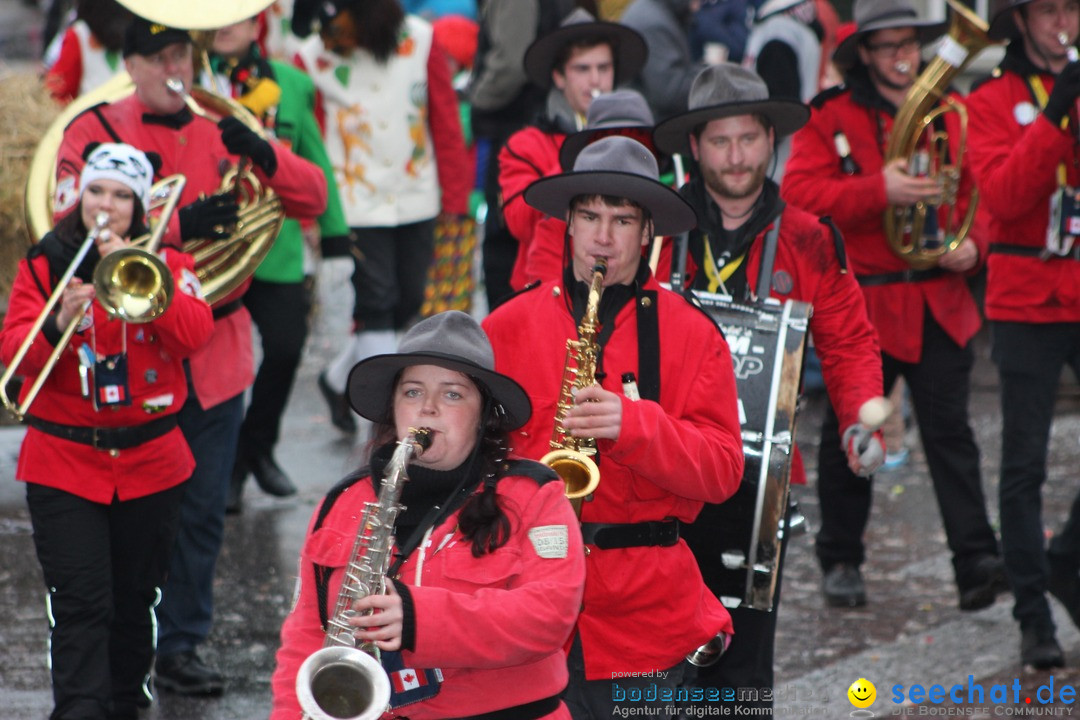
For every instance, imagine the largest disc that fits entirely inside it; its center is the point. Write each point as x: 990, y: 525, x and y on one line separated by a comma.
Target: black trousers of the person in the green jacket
x: 280, y: 313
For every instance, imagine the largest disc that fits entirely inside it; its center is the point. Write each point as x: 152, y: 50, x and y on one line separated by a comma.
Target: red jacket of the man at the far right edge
x: 1017, y: 169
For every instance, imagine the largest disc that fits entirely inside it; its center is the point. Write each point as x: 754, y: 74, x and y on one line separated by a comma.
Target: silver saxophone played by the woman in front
x: 343, y: 682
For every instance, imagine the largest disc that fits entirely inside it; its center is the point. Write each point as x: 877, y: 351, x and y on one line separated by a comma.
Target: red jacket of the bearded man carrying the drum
x: 807, y: 269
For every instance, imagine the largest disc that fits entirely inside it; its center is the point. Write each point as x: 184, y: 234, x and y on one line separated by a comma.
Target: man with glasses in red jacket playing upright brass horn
x: 925, y: 318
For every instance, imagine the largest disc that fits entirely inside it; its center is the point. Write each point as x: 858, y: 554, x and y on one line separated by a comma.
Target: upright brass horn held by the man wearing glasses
x: 915, y: 234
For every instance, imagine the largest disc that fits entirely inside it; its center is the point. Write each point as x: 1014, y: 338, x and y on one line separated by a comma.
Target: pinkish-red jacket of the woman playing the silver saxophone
x: 495, y: 626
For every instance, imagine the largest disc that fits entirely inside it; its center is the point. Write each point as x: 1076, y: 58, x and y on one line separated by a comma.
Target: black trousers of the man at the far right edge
x: 1030, y: 360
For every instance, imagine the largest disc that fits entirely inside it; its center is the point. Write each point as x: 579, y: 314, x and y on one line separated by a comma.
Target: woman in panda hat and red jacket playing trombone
x: 103, y: 459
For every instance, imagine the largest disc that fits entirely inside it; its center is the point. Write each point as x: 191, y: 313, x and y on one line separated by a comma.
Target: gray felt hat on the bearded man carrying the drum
x: 726, y: 90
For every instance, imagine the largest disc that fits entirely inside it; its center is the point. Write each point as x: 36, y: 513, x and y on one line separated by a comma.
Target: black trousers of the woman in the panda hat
x: 103, y: 566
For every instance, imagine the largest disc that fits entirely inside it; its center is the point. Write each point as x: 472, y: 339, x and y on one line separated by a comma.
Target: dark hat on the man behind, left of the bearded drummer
x: 629, y: 49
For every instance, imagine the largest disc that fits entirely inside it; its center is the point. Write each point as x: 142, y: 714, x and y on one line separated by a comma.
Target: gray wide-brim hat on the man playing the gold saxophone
x: 620, y: 168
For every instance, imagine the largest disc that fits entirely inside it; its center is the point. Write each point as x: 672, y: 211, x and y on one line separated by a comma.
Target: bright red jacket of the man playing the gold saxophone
x: 645, y: 608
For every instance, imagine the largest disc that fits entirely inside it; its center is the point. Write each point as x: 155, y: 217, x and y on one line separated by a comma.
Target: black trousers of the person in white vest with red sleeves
x: 391, y: 275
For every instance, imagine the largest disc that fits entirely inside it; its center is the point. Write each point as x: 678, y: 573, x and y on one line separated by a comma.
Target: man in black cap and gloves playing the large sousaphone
x: 157, y: 119
